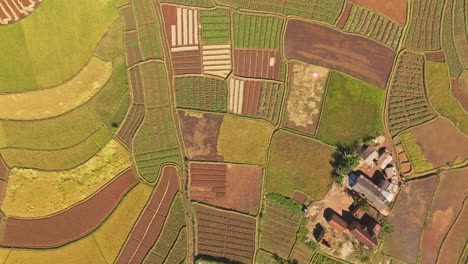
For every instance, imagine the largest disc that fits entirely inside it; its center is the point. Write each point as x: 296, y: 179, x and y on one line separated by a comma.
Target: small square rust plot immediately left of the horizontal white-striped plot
x: 187, y: 62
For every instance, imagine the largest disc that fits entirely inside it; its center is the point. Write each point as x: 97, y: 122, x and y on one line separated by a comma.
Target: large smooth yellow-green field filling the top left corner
x: 40, y: 57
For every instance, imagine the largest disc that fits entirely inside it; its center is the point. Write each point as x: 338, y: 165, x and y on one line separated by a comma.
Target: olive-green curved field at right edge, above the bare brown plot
x: 438, y: 88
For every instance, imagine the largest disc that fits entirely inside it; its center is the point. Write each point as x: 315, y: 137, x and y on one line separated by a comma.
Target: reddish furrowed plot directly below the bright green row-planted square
x: 257, y: 63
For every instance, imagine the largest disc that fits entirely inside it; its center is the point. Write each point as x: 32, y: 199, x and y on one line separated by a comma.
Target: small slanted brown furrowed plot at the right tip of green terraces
x: 131, y: 123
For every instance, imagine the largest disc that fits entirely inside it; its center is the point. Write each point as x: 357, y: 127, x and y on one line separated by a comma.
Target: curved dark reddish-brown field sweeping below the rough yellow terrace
x: 71, y: 224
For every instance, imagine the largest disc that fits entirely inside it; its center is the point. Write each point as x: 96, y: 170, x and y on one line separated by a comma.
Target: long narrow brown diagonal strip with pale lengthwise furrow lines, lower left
x: 149, y: 226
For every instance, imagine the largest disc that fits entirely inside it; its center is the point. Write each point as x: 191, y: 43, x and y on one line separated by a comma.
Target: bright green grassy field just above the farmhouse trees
x: 352, y: 109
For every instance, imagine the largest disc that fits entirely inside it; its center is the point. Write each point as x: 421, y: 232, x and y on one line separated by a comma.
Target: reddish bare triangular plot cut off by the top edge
x: 395, y: 9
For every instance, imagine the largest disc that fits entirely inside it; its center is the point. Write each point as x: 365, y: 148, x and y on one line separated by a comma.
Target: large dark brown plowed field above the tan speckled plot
x: 355, y: 55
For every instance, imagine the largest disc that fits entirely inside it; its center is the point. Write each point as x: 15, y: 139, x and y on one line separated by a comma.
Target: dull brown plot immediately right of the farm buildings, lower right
x: 403, y: 243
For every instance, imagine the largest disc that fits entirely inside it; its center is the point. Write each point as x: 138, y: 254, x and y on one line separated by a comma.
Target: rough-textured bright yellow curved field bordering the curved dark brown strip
x: 33, y: 193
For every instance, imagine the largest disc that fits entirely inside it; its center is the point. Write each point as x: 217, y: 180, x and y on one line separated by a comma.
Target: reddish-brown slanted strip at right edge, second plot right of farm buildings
x: 448, y: 201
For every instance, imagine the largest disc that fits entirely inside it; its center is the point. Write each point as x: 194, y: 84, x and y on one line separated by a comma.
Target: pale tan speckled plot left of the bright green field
x: 305, y: 96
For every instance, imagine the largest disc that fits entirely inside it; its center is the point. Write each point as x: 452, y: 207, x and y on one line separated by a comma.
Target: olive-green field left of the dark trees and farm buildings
x: 298, y: 162
